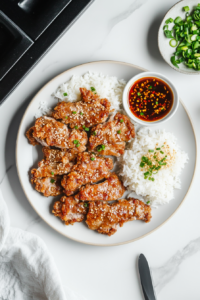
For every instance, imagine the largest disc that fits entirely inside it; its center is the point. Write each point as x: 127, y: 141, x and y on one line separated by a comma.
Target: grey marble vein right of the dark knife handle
x: 162, y: 275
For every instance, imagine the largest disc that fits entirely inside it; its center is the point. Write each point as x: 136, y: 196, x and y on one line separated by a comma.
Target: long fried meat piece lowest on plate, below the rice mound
x: 105, y: 217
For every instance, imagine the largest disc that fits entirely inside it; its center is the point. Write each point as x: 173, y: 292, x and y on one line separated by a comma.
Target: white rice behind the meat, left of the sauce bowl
x: 106, y: 87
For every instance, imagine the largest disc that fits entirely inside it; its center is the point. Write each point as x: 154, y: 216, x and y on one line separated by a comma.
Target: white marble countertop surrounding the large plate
x: 123, y: 30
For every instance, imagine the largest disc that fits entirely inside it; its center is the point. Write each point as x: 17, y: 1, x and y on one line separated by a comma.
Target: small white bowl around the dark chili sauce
x: 126, y: 98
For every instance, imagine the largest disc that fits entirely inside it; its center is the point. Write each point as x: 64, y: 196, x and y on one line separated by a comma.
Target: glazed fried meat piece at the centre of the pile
x: 89, y: 168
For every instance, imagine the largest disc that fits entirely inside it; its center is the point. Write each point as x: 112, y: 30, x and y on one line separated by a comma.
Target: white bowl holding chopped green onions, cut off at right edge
x: 163, y: 43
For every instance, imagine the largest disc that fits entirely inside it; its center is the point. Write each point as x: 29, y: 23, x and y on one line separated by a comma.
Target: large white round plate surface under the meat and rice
x: 27, y: 156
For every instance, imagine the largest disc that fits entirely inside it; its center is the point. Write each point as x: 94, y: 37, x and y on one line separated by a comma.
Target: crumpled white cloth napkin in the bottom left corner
x: 27, y: 269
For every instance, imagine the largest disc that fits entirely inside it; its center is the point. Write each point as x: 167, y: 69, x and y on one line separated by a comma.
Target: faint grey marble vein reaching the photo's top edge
x: 120, y: 18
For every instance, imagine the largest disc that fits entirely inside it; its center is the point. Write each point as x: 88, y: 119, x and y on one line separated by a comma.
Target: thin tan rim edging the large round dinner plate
x: 65, y: 235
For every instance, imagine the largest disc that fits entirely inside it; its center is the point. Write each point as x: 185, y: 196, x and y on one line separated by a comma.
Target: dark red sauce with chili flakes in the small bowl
x: 150, y: 99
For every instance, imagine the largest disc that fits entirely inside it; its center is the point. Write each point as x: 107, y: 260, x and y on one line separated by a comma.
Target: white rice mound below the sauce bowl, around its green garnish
x: 161, y: 190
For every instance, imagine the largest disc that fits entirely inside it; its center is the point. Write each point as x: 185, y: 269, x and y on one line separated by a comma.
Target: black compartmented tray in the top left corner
x: 28, y: 29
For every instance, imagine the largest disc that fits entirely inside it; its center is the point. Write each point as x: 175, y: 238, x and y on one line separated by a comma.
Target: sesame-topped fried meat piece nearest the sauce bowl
x: 109, y: 138
